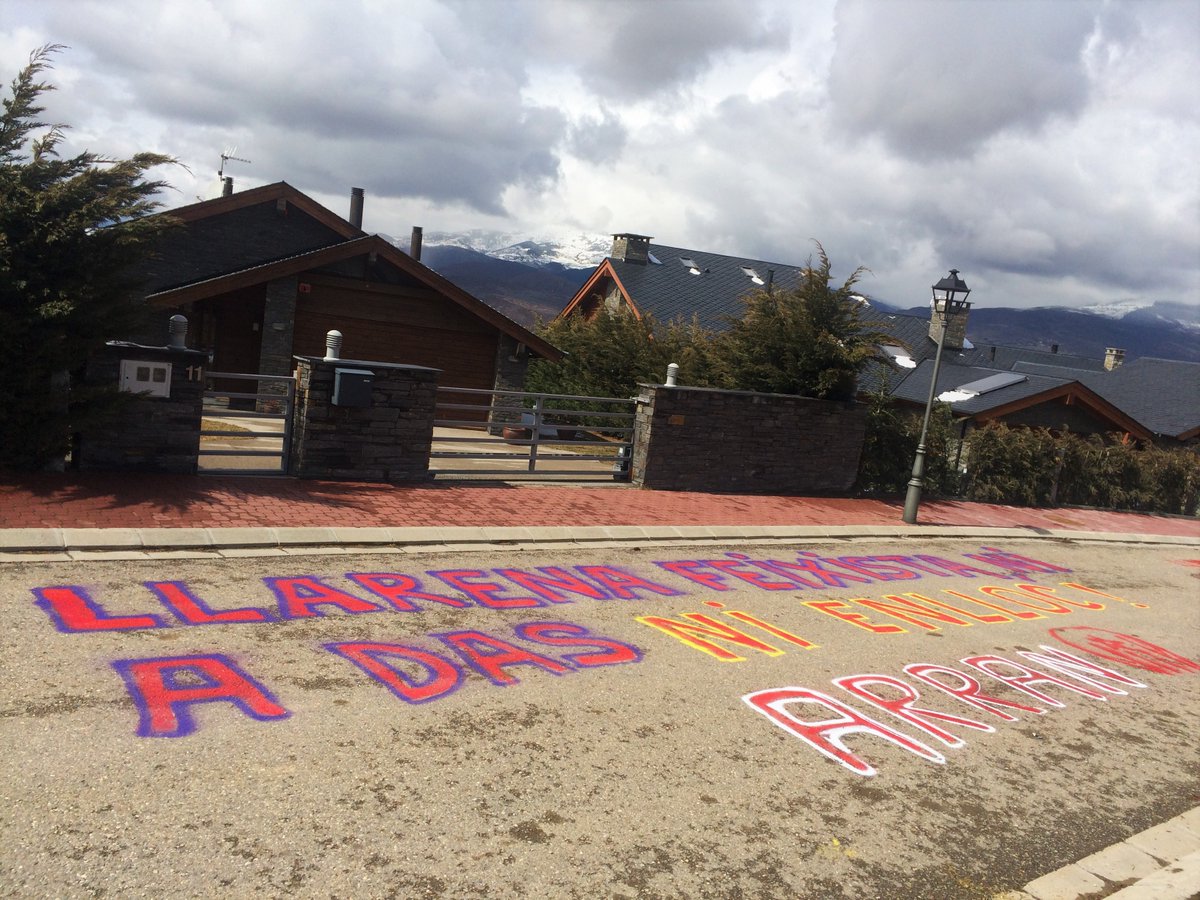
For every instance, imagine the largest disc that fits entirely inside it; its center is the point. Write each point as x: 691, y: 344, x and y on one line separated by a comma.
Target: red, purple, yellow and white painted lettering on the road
x: 1007, y: 591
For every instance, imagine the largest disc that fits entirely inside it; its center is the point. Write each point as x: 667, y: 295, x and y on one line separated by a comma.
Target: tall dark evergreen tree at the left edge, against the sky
x: 71, y: 231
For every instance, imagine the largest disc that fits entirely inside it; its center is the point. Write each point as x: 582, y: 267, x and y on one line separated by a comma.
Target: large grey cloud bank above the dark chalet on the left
x: 418, y: 107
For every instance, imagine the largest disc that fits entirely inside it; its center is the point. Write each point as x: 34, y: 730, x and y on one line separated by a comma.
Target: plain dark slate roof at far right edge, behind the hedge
x: 1162, y: 394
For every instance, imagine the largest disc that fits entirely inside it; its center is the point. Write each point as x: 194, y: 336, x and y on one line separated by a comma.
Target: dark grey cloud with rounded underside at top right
x: 938, y: 79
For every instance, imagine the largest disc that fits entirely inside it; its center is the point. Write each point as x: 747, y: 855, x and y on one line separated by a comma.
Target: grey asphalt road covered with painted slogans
x: 676, y: 733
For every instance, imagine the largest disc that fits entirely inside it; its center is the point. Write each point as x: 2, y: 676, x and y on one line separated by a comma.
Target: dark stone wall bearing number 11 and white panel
x: 149, y: 434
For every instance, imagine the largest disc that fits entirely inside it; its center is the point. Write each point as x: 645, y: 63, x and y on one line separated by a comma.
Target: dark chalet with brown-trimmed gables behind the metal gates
x: 263, y: 274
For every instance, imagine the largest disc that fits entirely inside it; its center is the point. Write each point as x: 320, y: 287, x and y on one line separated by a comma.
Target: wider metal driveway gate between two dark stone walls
x: 515, y: 435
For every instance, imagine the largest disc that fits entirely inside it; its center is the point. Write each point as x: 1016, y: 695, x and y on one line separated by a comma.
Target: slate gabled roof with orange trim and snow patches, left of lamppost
x: 686, y: 284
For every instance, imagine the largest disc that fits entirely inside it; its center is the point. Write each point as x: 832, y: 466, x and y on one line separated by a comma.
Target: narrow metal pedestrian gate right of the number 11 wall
x: 247, y: 433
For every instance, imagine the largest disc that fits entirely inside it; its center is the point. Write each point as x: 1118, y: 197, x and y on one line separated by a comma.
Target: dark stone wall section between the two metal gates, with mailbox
x: 388, y: 441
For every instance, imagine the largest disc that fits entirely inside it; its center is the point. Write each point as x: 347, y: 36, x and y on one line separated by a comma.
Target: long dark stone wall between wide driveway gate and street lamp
x: 741, y: 442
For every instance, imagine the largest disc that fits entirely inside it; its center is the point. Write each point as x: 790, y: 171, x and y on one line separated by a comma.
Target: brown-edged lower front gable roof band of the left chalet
x: 349, y: 250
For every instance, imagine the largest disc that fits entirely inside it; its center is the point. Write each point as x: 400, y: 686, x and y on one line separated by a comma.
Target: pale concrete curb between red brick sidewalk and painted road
x: 25, y: 544
